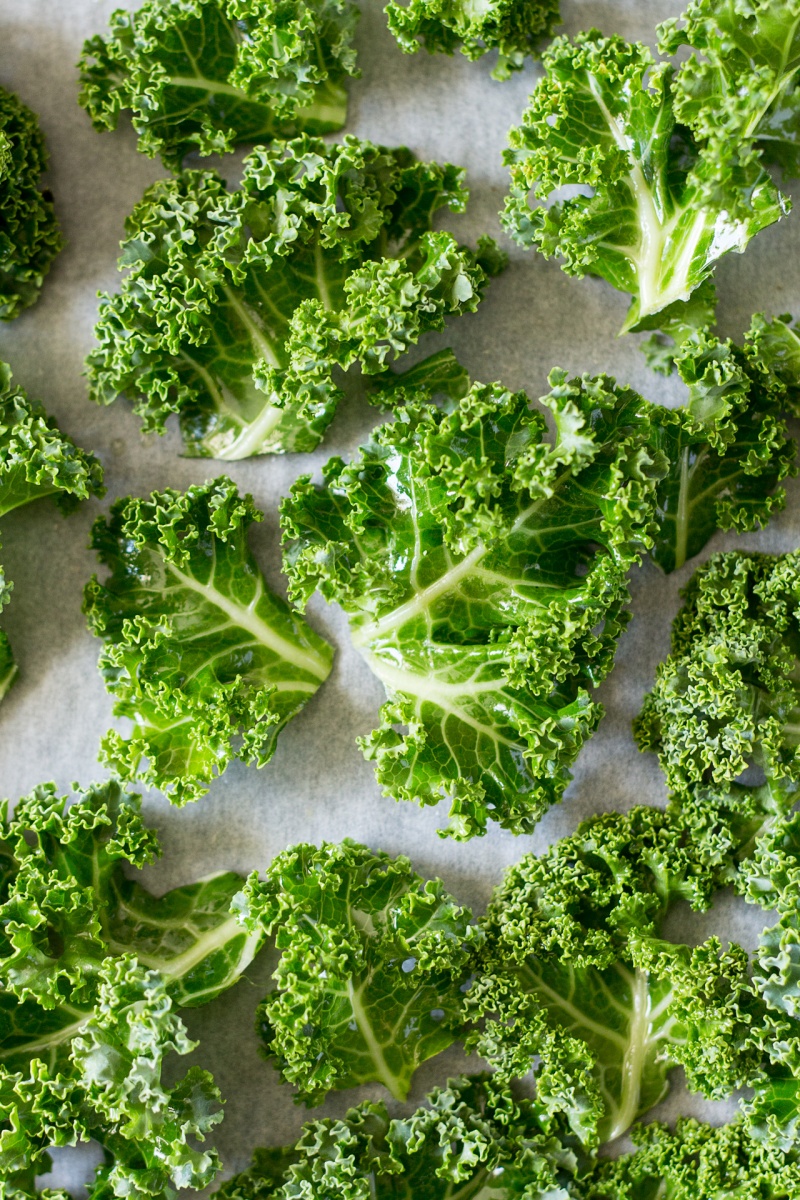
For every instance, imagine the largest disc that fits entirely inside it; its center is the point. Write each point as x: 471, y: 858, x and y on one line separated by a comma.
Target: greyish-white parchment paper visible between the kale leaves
x: 318, y: 787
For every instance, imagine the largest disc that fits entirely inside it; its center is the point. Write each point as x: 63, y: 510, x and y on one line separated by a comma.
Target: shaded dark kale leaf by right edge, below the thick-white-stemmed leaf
x: 727, y: 447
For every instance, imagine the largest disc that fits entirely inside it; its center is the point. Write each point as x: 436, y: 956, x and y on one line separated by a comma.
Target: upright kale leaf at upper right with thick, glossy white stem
x: 657, y: 206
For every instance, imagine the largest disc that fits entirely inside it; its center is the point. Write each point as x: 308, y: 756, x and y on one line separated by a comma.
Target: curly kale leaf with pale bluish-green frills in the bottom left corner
x: 107, y: 1085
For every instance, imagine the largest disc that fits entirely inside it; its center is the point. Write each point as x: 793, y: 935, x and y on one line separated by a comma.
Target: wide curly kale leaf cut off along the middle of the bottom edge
x: 471, y: 1141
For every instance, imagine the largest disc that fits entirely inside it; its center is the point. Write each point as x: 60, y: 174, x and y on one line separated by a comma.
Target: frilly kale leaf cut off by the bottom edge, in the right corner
x: 696, y: 1162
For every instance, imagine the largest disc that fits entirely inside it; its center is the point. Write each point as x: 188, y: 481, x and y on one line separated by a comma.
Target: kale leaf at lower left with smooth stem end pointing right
x: 67, y: 905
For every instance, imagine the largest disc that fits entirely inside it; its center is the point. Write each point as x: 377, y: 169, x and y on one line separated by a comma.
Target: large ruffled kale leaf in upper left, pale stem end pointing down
x: 240, y: 309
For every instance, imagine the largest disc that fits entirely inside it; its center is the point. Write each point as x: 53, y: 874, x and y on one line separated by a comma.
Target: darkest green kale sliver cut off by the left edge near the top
x: 29, y: 232
